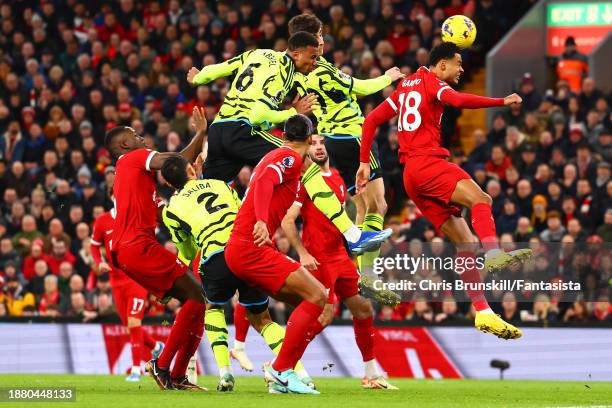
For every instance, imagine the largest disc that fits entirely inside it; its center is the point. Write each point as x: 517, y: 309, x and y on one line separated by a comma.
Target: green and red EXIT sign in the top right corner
x: 587, y: 22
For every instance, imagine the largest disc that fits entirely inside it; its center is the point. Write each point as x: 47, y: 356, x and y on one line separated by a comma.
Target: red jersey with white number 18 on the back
x: 416, y: 100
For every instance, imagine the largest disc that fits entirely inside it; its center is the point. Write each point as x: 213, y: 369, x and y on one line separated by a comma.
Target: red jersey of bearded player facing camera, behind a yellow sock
x: 320, y: 236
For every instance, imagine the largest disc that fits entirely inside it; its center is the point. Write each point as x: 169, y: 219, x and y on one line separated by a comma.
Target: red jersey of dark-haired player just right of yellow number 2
x: 287, y: 164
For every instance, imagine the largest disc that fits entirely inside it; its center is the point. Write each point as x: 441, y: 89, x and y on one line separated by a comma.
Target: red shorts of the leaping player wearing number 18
x: 430, y: 182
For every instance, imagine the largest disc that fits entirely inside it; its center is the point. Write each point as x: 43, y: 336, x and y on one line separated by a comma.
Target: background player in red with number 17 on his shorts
x: 129, y: 297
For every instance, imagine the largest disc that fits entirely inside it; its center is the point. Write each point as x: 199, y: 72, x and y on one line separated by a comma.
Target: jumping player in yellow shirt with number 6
x: 239, y: 134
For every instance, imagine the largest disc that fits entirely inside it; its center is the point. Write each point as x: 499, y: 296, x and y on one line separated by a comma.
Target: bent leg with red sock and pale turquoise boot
x: 303, y: 325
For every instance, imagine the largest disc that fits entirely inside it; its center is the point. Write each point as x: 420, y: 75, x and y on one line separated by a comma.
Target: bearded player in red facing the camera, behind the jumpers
x: 324, y: 255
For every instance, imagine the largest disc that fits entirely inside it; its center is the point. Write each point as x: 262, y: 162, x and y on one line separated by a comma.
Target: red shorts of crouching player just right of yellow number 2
x: 262, y: 267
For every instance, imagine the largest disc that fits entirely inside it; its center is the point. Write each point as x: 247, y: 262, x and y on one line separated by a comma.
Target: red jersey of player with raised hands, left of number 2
x: 135, y: 198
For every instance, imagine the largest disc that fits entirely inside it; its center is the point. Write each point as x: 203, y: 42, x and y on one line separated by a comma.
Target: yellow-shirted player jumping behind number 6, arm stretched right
x: 339, y: 119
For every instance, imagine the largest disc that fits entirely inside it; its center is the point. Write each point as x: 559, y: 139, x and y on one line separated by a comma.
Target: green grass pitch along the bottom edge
x: 97, y: 391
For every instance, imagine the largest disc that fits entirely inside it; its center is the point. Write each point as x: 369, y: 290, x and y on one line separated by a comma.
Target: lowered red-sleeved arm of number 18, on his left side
x: 381, y: 114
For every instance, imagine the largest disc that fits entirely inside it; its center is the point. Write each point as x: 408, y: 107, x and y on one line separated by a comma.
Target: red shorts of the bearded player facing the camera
x: 340, y: 278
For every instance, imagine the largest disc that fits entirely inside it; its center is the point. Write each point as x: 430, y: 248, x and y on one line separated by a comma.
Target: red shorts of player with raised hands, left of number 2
x: 148, y: 263
